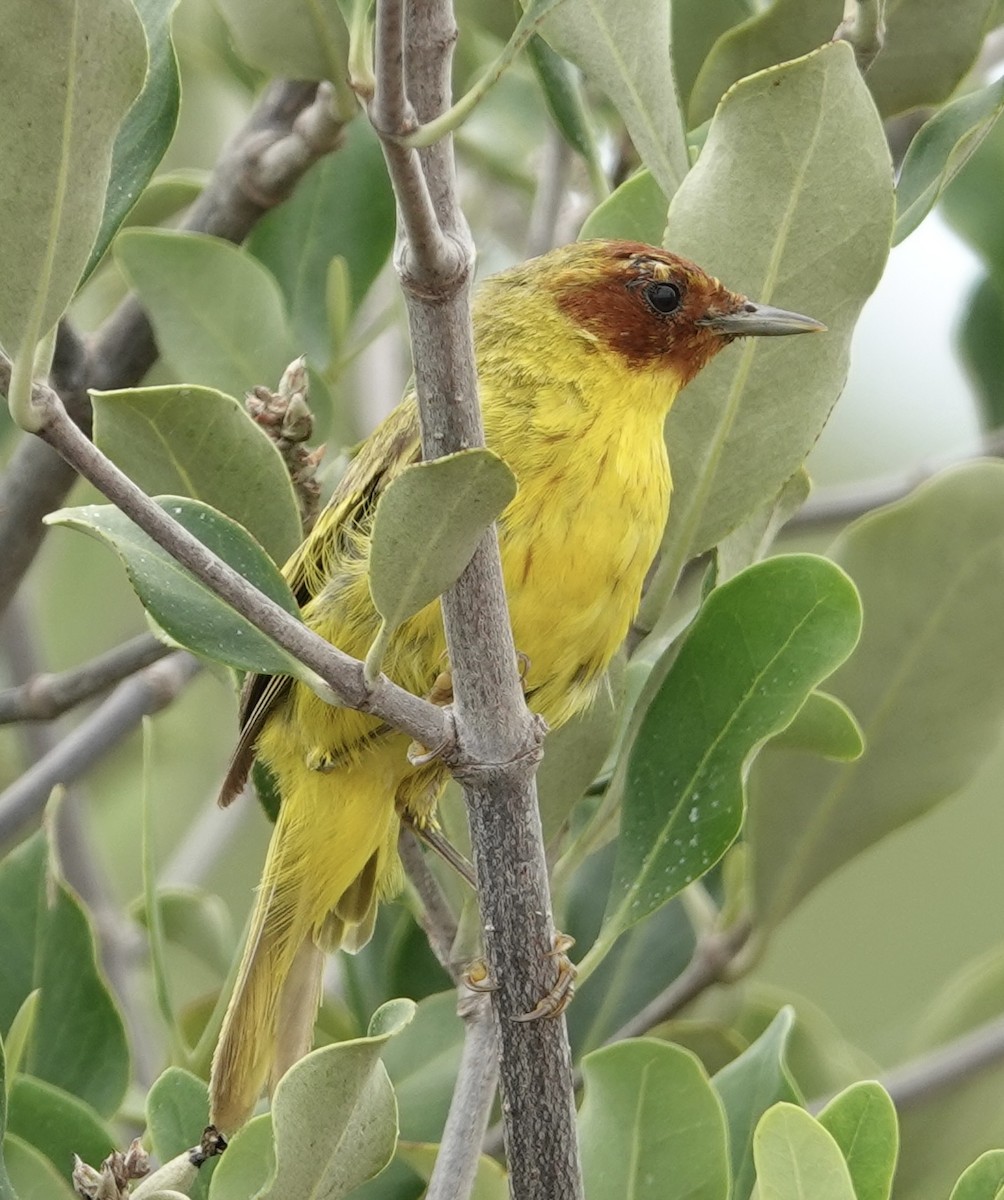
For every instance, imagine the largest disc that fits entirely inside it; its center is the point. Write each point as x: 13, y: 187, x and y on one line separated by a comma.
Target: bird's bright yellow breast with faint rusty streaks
x: 576, y: 545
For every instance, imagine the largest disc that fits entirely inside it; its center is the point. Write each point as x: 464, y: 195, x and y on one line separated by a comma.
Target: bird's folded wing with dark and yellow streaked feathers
x: 345, y: 524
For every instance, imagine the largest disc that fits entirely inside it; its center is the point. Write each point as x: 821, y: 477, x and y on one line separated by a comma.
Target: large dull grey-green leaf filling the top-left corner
x: 63, y: 93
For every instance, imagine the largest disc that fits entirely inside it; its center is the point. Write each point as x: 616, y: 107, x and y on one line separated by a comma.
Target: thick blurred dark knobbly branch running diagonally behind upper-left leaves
x: 291, y: 128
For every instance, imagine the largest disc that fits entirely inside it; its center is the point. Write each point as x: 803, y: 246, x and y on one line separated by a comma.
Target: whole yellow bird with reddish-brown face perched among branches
x: 580, y: 356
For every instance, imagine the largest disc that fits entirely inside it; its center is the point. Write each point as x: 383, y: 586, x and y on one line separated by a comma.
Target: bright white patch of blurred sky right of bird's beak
x: 907, y: 398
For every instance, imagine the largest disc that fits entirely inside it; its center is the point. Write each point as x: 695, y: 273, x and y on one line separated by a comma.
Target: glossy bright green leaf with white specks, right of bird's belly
x: 756, y: 650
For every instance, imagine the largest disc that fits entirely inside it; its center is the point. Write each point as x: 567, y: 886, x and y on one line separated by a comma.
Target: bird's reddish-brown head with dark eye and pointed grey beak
x: 658, y: 310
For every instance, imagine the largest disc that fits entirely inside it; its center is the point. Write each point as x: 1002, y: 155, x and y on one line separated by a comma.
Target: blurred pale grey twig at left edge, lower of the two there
x: 93, y: 739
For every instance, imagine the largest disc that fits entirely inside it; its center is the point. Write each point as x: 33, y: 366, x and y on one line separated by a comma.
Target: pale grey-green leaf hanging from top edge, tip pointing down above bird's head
x: 624, y: 50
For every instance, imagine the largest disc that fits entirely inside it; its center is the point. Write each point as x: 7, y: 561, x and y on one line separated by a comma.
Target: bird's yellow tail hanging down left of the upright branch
x: 318, y: 893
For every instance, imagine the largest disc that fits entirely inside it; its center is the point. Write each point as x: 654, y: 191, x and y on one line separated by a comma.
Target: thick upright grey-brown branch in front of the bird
x: 498, y: 740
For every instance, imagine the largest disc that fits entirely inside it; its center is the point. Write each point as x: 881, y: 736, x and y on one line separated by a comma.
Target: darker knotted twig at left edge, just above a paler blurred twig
x: 46, y: 697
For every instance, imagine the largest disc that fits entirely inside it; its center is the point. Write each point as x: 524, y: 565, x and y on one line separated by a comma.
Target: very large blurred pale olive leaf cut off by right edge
x: 922, y: 686
